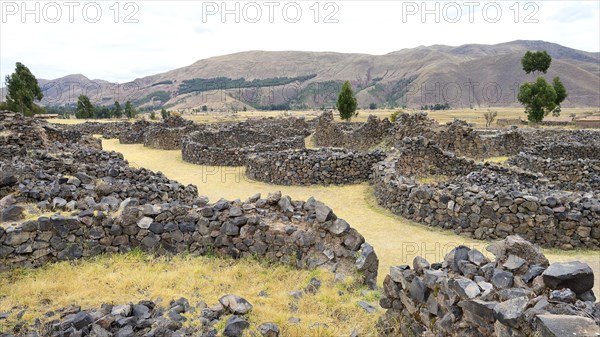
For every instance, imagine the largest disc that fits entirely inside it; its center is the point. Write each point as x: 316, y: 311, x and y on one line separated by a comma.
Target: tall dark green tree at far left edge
x: 23, y: 89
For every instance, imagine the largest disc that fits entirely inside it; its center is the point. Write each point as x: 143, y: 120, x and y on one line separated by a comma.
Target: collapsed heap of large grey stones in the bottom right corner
x: 519, y: 294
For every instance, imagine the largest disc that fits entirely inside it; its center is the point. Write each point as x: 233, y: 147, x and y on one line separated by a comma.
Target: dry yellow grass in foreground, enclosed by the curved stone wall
x: 133, y: 277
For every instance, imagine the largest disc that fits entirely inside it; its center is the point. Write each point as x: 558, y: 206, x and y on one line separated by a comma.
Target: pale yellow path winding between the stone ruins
x: 396, y: 240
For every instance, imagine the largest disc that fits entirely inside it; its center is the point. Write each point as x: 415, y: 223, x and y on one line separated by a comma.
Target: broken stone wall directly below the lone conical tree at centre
x: 354, y: 136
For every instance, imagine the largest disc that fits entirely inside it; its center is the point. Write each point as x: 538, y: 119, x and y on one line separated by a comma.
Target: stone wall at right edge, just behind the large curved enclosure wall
x: 572, y: 175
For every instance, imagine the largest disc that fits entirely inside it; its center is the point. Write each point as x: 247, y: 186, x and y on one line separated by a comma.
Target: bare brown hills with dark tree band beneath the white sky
x: 464, y: 76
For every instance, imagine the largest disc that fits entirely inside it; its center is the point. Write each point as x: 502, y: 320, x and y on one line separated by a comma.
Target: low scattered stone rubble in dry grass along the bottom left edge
x: 150, y: 318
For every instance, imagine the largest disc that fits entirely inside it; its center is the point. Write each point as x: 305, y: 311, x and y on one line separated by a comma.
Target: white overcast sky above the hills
x: 130, y: 39
